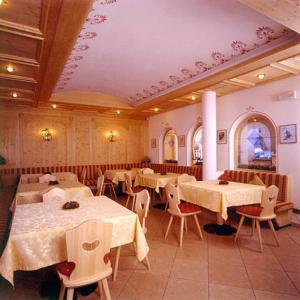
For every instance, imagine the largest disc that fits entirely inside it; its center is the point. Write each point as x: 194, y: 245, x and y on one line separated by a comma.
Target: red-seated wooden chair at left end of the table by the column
x: 181, y: 210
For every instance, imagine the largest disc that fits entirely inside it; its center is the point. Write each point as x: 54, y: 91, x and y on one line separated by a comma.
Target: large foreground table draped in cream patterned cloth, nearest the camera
x: 37, y: 237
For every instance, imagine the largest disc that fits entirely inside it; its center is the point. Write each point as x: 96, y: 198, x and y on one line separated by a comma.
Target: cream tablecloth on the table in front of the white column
x: 215, y: 197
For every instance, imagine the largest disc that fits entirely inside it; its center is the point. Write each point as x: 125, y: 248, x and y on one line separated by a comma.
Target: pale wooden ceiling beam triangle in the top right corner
x: 285, y: 12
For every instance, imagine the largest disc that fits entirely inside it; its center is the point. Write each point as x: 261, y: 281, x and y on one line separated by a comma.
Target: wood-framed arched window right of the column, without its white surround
x: 256, y: 144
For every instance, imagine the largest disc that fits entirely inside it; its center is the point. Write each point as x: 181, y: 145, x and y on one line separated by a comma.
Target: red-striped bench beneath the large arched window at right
x: 283, y: 208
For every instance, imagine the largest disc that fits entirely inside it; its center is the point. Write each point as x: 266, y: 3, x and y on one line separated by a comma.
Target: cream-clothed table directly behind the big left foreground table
x: 33, y: 192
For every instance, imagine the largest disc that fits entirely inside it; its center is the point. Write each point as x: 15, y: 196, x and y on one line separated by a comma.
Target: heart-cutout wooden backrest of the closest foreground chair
x: 87, y: 245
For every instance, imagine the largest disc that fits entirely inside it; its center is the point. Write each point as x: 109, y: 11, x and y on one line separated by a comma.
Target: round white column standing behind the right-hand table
x: 209, y: 117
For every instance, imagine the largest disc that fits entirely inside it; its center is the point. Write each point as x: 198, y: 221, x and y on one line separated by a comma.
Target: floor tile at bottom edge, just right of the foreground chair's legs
x: 143, y: 285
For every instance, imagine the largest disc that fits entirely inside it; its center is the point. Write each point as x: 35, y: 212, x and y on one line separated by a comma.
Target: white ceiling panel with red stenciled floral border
x: 138, y: 49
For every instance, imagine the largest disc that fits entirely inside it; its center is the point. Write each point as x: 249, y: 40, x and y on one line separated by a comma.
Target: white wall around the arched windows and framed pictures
x: 229, y: 109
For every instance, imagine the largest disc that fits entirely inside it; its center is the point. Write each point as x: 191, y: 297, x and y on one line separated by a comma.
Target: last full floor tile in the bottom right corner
x: 273, y: 281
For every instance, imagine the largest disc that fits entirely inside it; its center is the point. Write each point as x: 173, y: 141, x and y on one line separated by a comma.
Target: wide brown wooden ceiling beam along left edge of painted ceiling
x: 64, y: 22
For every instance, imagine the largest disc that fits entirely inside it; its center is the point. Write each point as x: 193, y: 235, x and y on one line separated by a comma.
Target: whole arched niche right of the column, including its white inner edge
x: 253, y: 142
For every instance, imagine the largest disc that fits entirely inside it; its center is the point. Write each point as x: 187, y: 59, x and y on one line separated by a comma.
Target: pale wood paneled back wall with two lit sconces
x: 77, y: 139
